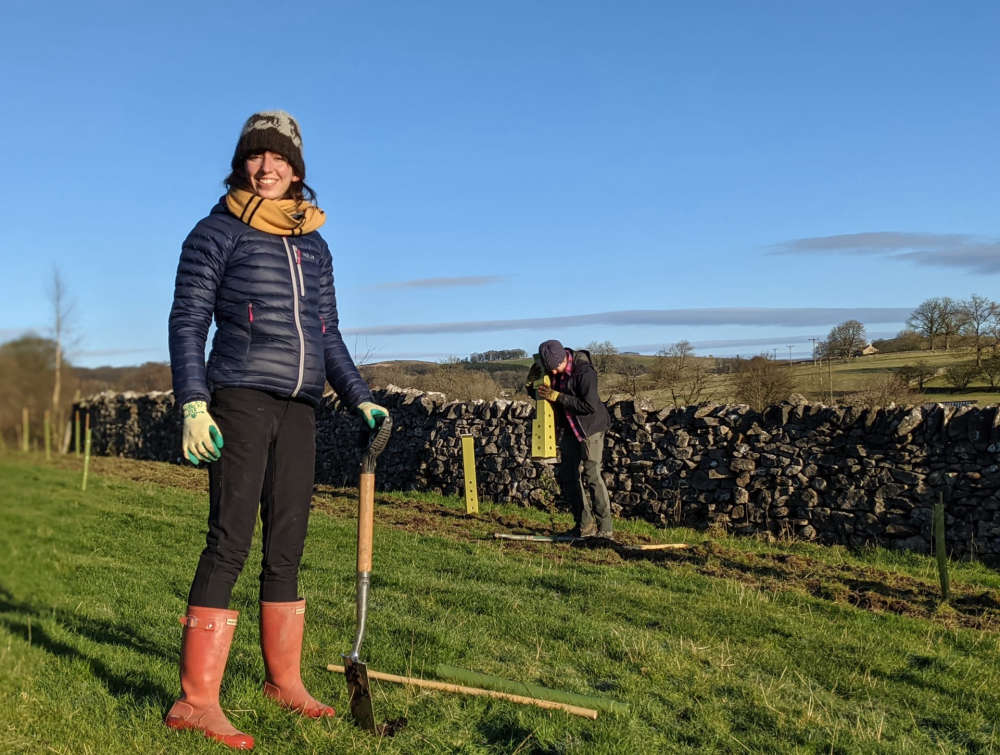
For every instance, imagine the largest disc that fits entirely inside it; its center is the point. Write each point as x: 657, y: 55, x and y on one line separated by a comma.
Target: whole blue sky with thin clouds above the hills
x: 739, y: 175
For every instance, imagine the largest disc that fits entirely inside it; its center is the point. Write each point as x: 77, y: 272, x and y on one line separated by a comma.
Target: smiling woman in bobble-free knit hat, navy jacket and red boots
x: 259, y: 266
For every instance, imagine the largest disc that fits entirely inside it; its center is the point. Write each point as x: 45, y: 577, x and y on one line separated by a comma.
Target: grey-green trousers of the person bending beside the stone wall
x: 584, y: 488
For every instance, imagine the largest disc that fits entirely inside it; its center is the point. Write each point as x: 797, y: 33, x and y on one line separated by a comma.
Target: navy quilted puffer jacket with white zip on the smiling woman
x: 275, y: 312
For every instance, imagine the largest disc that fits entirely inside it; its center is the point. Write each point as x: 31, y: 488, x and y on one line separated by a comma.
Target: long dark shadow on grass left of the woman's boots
x: 29, y: 621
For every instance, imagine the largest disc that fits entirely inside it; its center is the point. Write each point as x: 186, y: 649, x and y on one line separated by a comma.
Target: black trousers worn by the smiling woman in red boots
x: 268, y: 460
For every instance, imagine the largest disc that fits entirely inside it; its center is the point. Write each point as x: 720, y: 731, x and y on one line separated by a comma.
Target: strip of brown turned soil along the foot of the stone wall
x: 866, y: 588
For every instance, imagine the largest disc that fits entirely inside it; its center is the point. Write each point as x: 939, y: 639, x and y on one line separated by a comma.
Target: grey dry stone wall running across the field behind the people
x: 833, y: 474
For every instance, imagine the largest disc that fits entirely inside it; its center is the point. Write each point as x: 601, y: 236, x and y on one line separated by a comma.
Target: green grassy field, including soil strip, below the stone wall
x: 730, y: 648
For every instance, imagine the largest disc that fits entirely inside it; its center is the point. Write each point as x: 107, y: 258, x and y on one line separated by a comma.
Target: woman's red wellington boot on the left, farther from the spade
x: 208, y: 633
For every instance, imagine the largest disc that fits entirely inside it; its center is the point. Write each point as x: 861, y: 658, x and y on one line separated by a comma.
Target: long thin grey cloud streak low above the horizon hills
x: 754, y: 316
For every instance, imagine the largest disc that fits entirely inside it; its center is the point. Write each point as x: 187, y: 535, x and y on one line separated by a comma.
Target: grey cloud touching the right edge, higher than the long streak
x: 951, y: 250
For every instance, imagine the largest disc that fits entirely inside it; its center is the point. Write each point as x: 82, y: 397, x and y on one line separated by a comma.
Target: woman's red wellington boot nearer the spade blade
x: 281, y: 628
